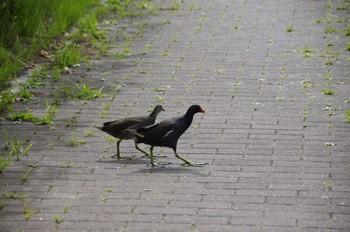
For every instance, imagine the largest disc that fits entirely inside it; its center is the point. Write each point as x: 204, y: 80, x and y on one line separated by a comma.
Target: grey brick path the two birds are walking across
x: 264, y: 134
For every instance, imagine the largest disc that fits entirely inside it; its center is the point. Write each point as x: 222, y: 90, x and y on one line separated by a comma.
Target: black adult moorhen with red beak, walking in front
x: 167, y: 133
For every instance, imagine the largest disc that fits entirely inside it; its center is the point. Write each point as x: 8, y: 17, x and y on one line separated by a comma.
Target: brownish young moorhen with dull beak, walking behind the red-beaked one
x: 119, y: 128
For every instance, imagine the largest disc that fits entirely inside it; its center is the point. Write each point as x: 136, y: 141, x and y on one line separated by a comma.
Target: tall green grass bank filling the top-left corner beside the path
x: 28, y: 26
